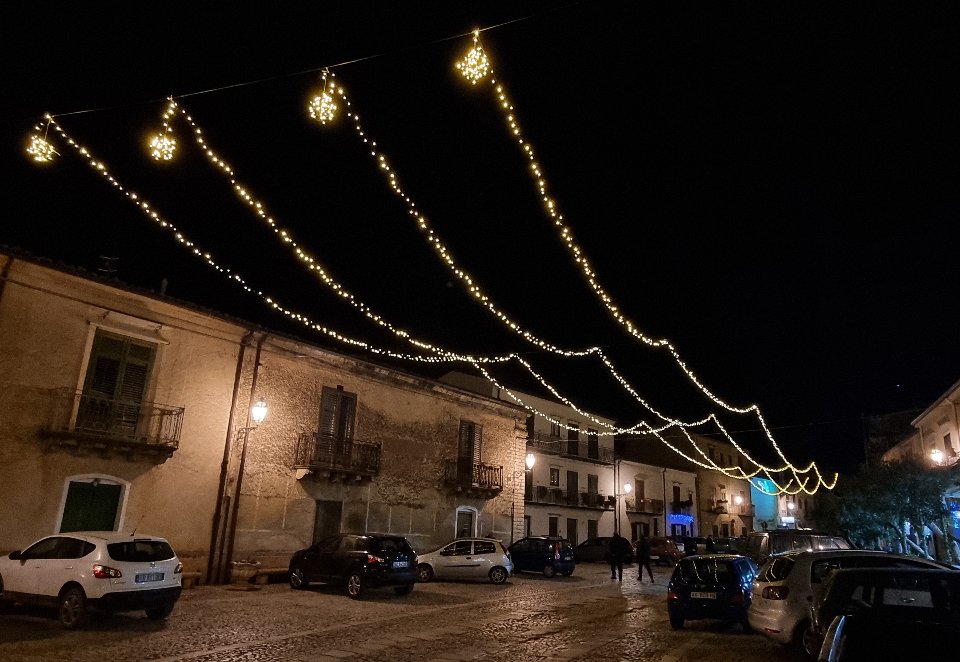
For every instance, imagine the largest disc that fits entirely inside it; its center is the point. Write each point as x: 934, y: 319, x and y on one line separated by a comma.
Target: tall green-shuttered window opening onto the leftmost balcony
x: 115, y: 384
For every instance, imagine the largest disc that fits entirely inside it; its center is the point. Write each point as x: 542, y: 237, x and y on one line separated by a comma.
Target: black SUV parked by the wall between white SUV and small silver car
x: 358, y: 561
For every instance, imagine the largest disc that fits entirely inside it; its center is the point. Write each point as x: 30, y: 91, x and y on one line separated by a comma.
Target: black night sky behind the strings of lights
x: 772, y: 188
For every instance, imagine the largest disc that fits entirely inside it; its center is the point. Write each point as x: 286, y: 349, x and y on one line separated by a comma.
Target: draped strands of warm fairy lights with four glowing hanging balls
x: 323, y: 108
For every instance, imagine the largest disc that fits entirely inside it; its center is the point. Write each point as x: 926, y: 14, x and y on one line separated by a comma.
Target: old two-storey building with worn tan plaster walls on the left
x: 128, y: 410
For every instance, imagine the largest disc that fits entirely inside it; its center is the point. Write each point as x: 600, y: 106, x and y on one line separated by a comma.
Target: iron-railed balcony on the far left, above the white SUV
x: 87, y: 422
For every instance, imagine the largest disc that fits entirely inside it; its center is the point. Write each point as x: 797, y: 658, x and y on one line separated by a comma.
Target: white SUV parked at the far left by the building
x: 105, y: 569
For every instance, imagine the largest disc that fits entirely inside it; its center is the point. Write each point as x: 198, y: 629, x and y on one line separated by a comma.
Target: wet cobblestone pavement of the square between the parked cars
x: 585, y: 617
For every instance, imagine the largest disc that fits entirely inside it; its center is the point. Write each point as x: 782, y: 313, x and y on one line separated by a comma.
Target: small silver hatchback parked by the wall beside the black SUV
x: 467, y: 558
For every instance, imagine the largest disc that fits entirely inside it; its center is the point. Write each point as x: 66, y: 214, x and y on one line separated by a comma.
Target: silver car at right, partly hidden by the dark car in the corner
x: 784, y: 589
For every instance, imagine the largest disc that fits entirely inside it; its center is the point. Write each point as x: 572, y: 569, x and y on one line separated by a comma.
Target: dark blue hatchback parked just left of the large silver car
x: 711, y: 586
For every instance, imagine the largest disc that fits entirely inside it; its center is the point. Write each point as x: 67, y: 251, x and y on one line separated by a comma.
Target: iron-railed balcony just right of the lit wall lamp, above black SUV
x: 337, y: 459
